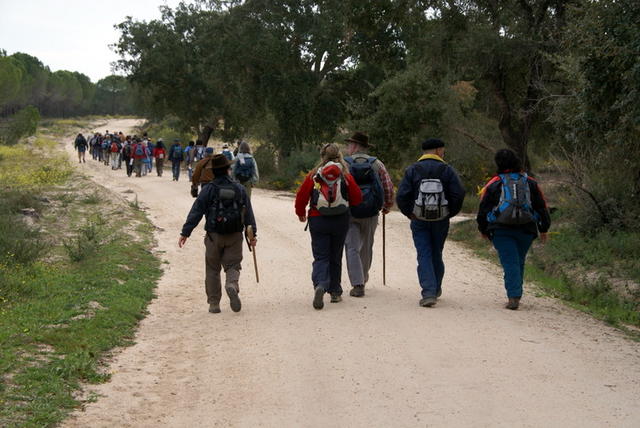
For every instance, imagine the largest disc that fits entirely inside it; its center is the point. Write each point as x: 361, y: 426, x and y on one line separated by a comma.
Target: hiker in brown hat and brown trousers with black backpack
x: 228, y: 212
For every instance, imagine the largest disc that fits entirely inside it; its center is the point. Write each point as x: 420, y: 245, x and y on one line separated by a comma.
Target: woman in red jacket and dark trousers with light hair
x: 329, y: 190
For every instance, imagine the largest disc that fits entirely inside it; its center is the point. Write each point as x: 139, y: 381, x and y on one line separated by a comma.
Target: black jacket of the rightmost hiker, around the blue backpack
x: 491, y: 198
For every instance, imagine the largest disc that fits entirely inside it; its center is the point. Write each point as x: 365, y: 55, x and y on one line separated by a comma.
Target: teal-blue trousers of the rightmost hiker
x: 512, y: 246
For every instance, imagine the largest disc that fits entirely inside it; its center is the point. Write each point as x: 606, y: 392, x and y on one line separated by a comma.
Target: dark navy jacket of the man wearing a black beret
x: 410, y: 185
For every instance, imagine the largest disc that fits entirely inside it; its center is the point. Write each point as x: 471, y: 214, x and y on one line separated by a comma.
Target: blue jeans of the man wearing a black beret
x: 429, y: 237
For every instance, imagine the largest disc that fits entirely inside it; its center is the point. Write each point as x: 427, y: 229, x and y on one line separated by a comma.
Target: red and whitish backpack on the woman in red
x: 330, y: 196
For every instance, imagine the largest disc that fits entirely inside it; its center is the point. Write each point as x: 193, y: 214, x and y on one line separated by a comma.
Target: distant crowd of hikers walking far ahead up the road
x: 138, y: 155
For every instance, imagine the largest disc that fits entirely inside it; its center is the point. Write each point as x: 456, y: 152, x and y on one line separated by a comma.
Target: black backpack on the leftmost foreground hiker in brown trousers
x: 226, y: 214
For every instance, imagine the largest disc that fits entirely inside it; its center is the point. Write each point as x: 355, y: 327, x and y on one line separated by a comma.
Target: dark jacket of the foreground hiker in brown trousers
x: 206, y: 199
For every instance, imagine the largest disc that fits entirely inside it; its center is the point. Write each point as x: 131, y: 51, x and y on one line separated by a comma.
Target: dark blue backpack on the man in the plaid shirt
x: 370, y: 185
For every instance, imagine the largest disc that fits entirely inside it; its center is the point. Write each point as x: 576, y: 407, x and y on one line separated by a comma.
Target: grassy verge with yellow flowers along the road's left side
x: 73, y: 281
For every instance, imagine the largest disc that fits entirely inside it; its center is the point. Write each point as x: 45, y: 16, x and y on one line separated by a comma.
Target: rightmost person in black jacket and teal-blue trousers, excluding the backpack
x: 512, y: 241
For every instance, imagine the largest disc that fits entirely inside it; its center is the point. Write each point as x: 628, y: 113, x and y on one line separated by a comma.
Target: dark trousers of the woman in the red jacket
x: 327, y: 244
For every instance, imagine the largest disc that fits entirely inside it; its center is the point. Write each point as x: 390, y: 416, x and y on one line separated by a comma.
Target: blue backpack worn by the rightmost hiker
x: 514, y: 206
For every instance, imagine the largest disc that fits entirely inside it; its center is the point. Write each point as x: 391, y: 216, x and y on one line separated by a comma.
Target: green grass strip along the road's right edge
x: 597, y: 297
